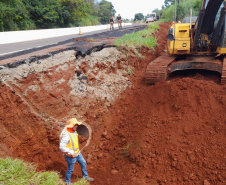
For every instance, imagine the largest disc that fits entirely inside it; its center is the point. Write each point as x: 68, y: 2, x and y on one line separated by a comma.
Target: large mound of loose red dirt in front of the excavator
x: 169, y: 133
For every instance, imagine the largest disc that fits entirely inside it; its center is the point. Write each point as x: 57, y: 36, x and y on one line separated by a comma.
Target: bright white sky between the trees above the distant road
x: 128, y: 8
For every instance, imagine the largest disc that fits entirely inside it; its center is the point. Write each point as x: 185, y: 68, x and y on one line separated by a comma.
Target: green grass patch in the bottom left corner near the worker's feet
x: 17, y: 172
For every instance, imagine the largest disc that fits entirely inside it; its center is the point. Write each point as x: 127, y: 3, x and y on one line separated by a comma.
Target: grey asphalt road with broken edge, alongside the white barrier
x: 13, y: 50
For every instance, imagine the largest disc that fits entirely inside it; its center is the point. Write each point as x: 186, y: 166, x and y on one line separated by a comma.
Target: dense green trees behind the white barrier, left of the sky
x: 45, y: 14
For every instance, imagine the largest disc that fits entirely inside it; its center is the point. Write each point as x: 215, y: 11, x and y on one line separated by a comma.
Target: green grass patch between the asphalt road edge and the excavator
x: 139, y: 39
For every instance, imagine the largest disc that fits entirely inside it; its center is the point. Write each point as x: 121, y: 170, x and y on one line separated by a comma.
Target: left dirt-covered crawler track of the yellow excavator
x: 157, y: 70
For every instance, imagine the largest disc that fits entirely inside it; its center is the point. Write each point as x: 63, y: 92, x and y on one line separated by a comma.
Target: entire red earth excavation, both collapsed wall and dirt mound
x: 170, y: 133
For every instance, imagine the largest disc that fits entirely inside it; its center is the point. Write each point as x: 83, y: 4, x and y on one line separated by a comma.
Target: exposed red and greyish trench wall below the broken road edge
x: 38, y: 97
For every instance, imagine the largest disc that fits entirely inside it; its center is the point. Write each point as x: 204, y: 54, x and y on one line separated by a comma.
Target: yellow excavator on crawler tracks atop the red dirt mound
x: 199, y: 45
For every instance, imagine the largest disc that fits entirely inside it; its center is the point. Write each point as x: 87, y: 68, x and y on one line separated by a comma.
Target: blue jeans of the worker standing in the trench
x: 71, y: 163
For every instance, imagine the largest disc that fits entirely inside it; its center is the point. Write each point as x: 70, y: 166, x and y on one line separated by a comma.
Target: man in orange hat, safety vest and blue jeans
x: 70, y: 148
